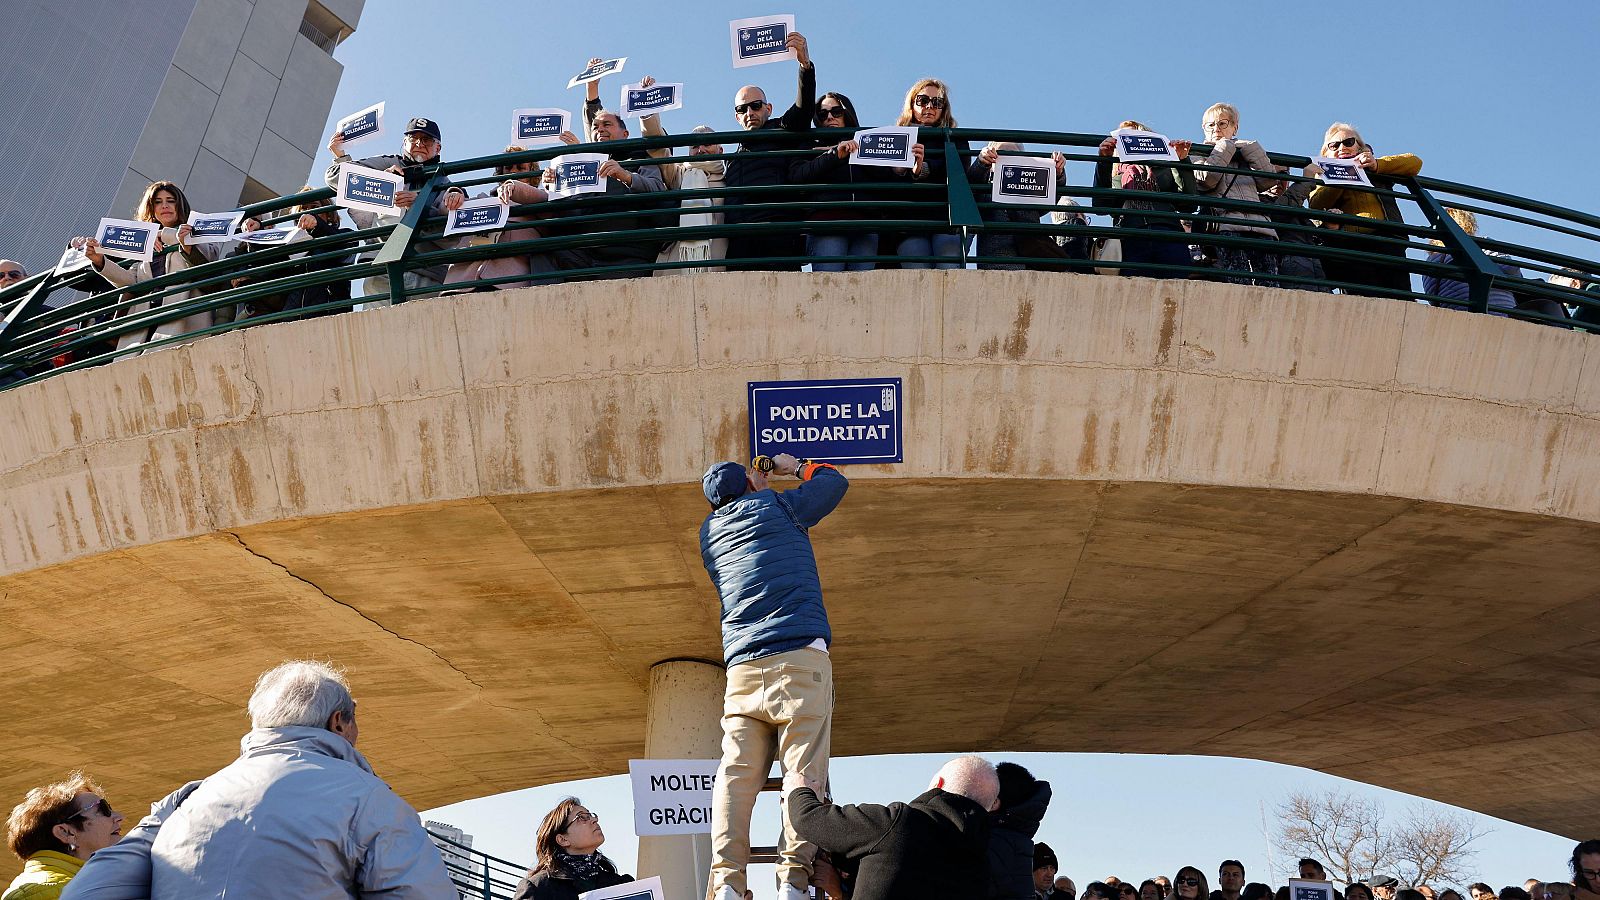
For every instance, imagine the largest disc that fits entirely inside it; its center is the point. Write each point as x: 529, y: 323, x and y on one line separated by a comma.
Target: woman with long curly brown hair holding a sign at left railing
x: 166, y: 206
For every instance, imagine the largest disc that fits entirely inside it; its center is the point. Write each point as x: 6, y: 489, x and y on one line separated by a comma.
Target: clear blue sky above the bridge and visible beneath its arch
x: 1468, y: 86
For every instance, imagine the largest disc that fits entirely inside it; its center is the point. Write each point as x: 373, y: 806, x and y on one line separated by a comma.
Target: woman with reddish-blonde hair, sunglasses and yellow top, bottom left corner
x: 54, y: 832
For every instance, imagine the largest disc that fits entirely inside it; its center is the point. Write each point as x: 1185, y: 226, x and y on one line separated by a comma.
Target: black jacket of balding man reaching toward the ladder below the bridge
x: 935, y: 848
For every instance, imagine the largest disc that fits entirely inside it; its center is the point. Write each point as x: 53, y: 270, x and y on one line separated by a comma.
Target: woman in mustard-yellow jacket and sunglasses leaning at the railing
x: 1343, y: 142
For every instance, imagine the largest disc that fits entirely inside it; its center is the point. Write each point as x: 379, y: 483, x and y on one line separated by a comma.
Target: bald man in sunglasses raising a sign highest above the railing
x: 754, y: 115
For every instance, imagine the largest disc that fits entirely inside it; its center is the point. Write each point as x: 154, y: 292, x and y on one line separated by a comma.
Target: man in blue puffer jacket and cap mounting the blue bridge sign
x: 775, y: 637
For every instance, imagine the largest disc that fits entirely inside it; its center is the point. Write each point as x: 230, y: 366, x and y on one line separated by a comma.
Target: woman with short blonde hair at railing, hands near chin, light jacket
x: 1239, y: 265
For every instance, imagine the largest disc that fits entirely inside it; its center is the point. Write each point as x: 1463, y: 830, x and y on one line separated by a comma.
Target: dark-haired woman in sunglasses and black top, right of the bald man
x: 833, y: 167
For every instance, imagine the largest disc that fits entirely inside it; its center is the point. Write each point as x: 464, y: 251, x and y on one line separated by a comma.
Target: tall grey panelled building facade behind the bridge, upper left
x: 226, y: 98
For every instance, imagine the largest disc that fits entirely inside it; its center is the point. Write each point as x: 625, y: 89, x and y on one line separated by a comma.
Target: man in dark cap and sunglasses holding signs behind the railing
x: 420, y: 148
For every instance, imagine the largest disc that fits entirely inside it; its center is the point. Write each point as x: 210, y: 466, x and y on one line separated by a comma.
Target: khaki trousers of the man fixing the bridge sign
x: 778, y: 707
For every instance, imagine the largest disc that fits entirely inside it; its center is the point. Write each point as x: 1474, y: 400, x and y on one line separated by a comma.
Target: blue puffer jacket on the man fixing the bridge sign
x: 759, y: 556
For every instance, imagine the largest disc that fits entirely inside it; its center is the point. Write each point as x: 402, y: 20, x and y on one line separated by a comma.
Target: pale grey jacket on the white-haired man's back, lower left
x: 298, y: 814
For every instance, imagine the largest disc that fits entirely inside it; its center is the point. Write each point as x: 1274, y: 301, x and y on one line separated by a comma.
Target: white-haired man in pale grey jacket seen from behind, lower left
x: 298, y: 814
